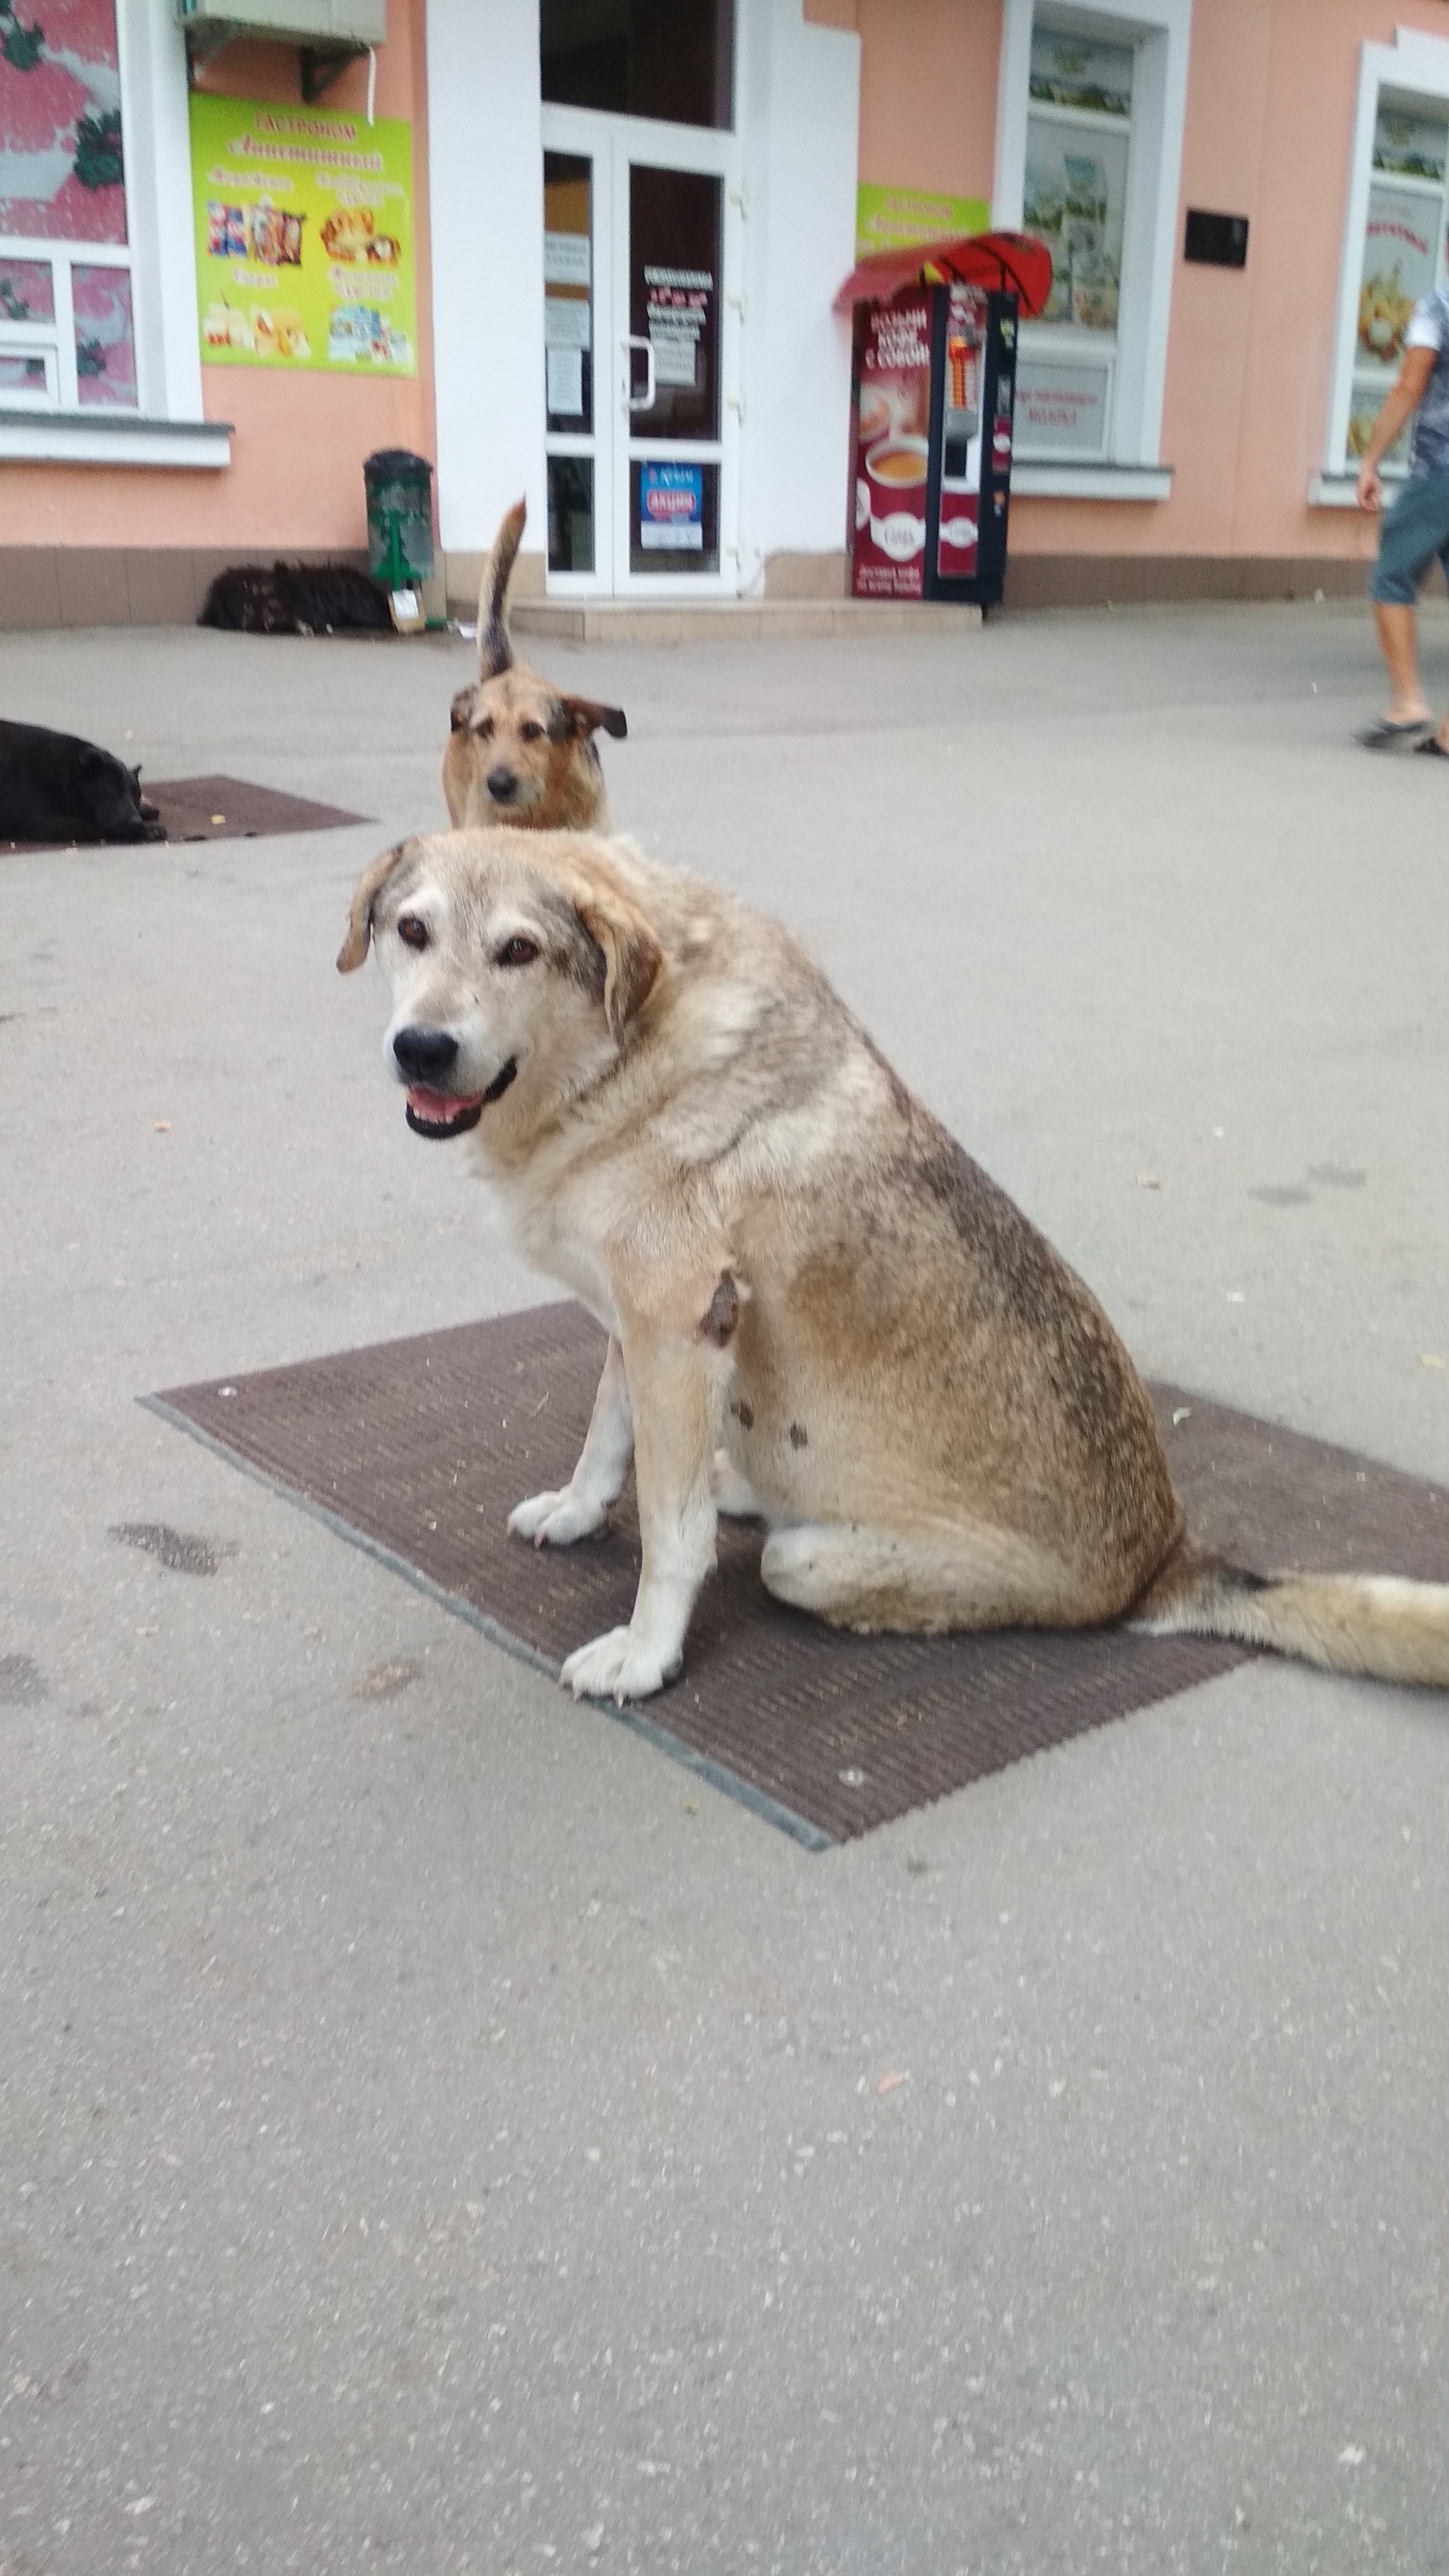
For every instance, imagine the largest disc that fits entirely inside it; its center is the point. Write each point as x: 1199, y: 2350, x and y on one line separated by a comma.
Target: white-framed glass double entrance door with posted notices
x: 642, y: 357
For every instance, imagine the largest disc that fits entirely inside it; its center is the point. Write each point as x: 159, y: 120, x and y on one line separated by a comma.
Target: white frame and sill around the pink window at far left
x: 166, y: 426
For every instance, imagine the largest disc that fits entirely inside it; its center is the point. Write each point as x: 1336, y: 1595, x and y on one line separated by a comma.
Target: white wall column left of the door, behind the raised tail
x: 485, y: 156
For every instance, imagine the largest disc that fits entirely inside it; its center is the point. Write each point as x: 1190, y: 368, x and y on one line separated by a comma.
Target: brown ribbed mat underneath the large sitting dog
x: 421, y: 1449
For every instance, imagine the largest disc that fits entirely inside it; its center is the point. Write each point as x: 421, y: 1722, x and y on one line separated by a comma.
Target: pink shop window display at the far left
x: 66, y: 267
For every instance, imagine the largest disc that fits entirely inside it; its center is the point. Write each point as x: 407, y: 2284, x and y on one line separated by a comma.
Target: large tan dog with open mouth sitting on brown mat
x: 820, y: 1310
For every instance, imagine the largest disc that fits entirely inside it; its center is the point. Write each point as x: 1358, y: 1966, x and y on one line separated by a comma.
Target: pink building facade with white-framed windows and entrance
x: 591, y: 251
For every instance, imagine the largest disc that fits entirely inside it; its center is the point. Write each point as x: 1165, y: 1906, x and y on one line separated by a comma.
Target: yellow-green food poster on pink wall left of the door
x: 302, y: 238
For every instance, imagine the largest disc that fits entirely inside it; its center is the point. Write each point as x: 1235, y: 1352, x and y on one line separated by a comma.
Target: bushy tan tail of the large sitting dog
x: 1373, y: 1624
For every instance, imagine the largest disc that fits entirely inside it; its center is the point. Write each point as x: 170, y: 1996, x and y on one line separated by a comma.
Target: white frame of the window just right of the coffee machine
x: 1159, y: 32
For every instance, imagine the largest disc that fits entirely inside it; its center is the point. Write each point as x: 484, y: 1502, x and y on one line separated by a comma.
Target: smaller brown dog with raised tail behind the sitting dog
x: 521, y: 751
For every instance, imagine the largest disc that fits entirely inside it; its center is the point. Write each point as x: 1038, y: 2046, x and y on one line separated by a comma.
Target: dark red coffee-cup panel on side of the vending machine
x: 892, y: 452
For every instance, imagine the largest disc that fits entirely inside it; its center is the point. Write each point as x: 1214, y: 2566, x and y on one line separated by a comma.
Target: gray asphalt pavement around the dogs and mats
x: 441, y: 2134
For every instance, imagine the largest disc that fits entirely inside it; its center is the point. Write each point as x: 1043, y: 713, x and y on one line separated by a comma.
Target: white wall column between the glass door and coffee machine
x: 799, y: 117
